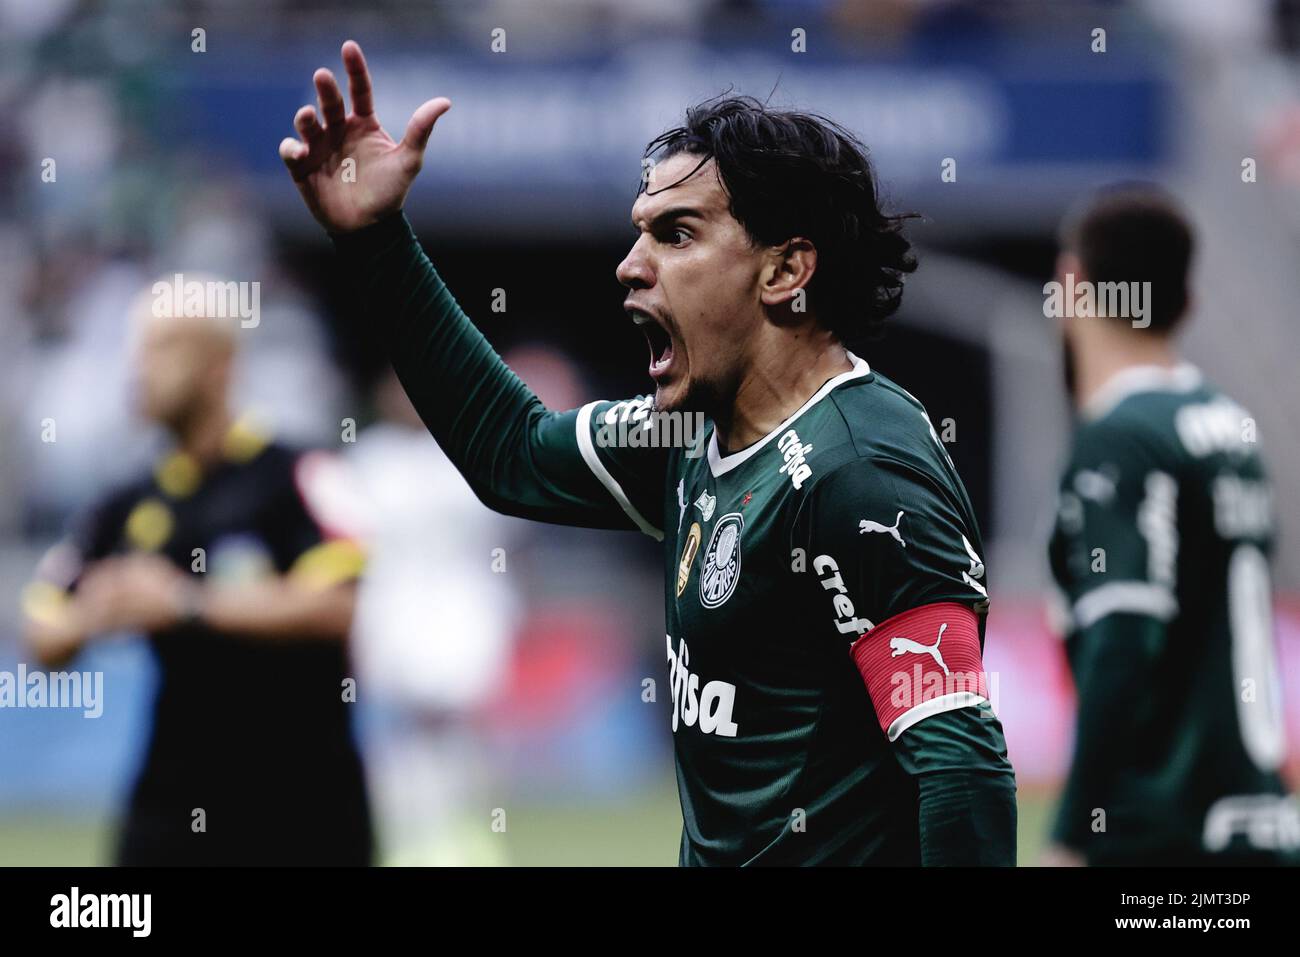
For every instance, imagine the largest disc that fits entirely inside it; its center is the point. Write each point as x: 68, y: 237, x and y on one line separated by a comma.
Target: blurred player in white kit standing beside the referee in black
x: 432, y: 640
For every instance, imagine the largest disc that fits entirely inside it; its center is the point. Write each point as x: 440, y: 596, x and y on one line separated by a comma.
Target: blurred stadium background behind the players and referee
x: 167, y: 162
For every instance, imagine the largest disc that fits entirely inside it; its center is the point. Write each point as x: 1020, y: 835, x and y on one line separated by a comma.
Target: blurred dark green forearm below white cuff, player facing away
x: 1110, y: 675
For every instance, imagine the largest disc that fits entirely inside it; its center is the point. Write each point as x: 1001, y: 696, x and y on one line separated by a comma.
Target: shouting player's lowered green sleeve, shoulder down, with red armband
x: 924, y: 594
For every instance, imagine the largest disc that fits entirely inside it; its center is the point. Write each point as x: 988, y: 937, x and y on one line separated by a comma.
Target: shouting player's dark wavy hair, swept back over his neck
x: 801, y: 175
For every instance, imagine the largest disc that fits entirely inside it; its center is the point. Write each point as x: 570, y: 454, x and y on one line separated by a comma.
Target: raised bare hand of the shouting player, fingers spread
x: 345, y: 198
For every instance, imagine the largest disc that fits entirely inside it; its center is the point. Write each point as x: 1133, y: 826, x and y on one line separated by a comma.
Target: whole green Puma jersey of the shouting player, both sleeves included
x: 825, y: 590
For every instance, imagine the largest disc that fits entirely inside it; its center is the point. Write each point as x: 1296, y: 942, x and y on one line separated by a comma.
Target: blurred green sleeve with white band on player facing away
x: 1116, y: 562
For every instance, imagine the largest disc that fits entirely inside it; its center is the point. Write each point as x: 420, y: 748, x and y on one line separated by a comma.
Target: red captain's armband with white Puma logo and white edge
x: 922, y: 662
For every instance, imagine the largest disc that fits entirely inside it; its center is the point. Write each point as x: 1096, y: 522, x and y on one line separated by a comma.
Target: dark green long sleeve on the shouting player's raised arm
x: 518, y: 457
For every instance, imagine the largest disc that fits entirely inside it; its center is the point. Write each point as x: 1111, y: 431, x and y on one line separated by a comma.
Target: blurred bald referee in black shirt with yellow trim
x: 246, y: 600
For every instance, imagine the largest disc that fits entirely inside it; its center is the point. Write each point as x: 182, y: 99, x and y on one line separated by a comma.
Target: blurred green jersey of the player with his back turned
x: 1162, y: 549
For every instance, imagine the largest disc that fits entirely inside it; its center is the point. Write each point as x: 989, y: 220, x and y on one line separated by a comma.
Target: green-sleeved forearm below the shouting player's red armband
x: 967, y: 789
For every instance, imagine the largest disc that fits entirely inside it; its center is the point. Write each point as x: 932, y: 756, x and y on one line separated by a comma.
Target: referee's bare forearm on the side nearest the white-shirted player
x: 278, y: 610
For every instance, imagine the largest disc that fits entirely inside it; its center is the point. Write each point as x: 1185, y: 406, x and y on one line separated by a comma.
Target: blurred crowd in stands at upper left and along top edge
x: 101, y: 194
